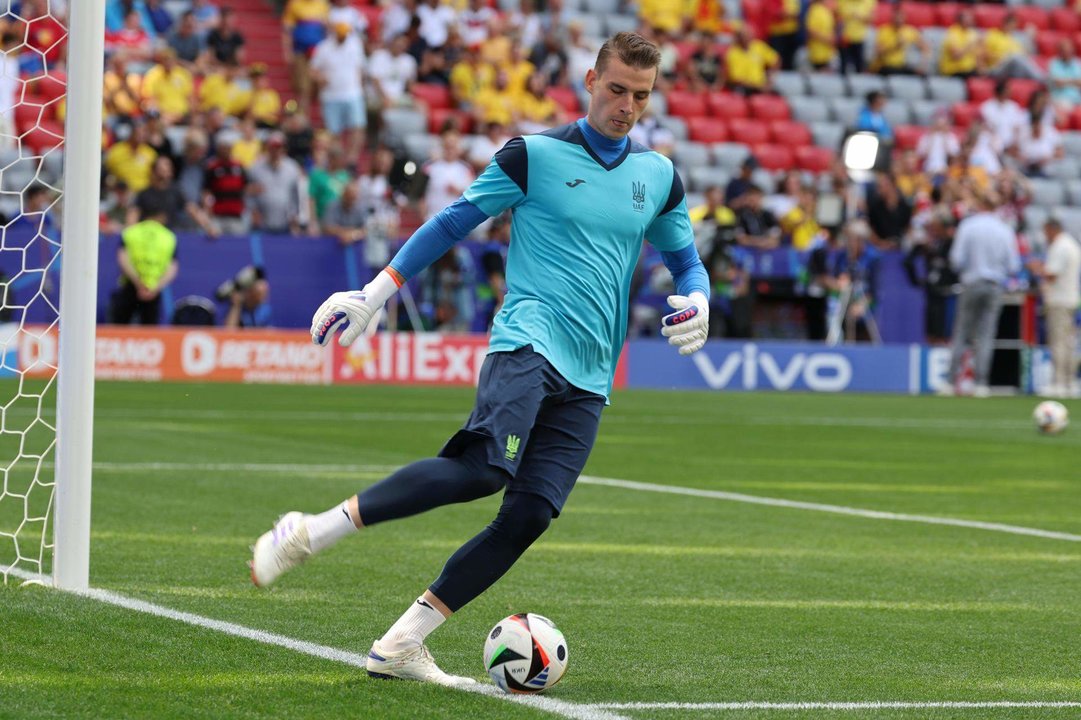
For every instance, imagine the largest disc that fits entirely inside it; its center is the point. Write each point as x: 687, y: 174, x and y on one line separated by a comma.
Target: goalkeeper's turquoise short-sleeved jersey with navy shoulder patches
x: 577, y: 234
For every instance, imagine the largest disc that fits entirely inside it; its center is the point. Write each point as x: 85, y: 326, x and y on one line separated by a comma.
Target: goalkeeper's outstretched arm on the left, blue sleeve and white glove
x: 501, y: 186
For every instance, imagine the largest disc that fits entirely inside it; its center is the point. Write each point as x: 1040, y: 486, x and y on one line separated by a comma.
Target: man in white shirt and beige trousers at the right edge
x: 1062, y: 295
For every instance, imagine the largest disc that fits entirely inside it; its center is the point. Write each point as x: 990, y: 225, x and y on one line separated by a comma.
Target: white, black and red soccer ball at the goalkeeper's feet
x: 526, y: 654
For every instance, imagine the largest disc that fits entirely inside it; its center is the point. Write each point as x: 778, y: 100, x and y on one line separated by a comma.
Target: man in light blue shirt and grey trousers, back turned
x: 985, y: 255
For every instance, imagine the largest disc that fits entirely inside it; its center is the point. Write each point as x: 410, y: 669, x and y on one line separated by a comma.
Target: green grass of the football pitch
x: 663, y: 597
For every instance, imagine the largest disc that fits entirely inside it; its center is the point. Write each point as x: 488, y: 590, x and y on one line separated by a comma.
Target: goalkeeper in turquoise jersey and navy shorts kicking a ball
x: 584, y: 197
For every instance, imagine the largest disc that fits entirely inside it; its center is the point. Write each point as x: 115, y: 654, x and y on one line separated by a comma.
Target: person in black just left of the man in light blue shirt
x: 928, y: 266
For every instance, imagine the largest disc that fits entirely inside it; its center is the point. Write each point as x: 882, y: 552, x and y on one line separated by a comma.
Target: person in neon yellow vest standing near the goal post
x: 148, y: 260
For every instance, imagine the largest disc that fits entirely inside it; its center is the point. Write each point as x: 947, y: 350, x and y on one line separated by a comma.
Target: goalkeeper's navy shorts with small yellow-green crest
x: 535, y: 425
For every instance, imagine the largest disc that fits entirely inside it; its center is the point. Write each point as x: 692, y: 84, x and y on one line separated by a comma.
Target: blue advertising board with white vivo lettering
x: 756, y: 366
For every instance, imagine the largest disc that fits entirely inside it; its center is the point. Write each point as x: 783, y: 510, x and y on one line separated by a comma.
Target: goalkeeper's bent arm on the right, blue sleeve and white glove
x: 673, y: 235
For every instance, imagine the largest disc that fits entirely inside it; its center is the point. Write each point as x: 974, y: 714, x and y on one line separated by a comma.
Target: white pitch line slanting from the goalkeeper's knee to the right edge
x: 839, y: 510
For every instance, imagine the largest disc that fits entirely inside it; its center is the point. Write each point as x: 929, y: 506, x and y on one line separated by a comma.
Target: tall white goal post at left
x: 75, y: 396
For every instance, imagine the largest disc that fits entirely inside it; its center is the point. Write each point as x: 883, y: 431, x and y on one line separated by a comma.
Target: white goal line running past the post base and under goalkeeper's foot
x: 552, y: 705
